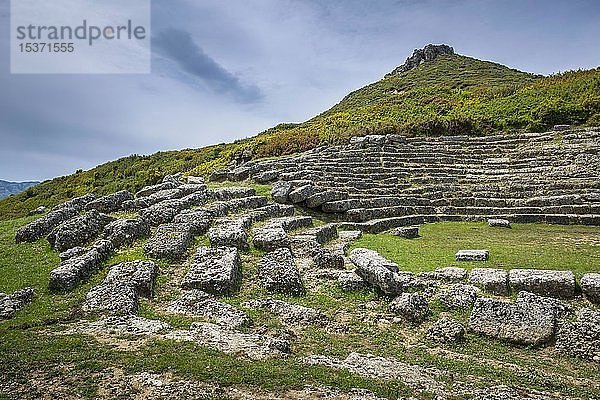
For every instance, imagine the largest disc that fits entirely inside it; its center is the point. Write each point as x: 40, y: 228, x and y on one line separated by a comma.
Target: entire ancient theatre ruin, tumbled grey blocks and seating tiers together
x: 373, y: 184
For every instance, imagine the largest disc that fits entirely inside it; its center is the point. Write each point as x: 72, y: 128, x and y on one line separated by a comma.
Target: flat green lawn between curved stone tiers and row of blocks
x: 556, y: 247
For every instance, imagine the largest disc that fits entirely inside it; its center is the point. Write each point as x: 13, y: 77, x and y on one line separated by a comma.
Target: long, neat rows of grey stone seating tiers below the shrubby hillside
x: 376, y: 183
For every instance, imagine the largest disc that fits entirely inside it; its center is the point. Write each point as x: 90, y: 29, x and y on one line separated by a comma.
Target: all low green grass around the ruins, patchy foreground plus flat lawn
x: 32, y: 342
